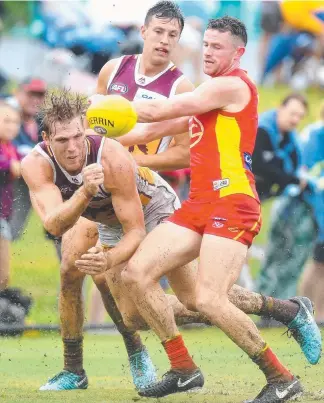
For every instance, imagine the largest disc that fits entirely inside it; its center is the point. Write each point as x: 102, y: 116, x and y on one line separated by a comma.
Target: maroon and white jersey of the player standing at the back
x: 126, y: 81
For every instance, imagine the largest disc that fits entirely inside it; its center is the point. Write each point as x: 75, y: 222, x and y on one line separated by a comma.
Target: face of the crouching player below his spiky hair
x: 67, y: 141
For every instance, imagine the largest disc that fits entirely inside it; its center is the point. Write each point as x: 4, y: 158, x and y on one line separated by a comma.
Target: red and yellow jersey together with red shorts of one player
x: 223, y: 200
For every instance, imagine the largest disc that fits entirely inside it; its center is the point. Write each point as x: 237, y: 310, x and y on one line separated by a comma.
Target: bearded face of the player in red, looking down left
x: 221, y: 52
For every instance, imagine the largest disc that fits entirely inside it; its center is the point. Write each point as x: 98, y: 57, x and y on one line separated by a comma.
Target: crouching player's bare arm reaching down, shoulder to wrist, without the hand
x: 119, y: 171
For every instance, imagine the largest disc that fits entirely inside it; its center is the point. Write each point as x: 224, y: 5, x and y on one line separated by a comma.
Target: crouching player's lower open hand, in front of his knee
x: 94, y: 262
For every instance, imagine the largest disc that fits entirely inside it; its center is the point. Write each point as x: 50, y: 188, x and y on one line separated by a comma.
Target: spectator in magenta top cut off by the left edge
x: 9, y: 171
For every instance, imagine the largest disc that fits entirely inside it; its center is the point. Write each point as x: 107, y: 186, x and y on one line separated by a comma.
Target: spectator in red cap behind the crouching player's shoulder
x: 27, y: 100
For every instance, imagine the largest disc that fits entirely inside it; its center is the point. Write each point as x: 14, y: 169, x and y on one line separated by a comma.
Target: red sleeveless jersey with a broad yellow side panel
x: 221, y: 147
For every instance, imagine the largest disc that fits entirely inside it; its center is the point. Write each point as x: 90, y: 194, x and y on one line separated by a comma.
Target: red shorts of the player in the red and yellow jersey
x: 236, y: 217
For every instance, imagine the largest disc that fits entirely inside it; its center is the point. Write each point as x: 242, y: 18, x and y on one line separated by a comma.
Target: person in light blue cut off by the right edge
x: 313, y: 158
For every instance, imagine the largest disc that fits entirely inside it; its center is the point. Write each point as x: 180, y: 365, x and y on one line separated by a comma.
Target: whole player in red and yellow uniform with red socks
x: 219, y: 220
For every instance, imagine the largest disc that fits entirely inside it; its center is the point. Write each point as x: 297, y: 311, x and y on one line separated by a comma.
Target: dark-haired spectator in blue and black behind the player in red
x: 276, y: 163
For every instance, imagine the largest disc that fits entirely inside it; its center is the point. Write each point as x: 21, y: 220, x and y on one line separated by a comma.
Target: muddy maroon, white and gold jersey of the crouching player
x: 100, y: 208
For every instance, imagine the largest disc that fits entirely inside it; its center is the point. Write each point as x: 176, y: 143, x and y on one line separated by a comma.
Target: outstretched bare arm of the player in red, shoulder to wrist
x: 217, y: 93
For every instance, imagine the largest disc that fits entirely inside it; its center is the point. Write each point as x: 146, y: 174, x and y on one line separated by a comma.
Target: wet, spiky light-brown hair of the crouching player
x: 61, y: 106
